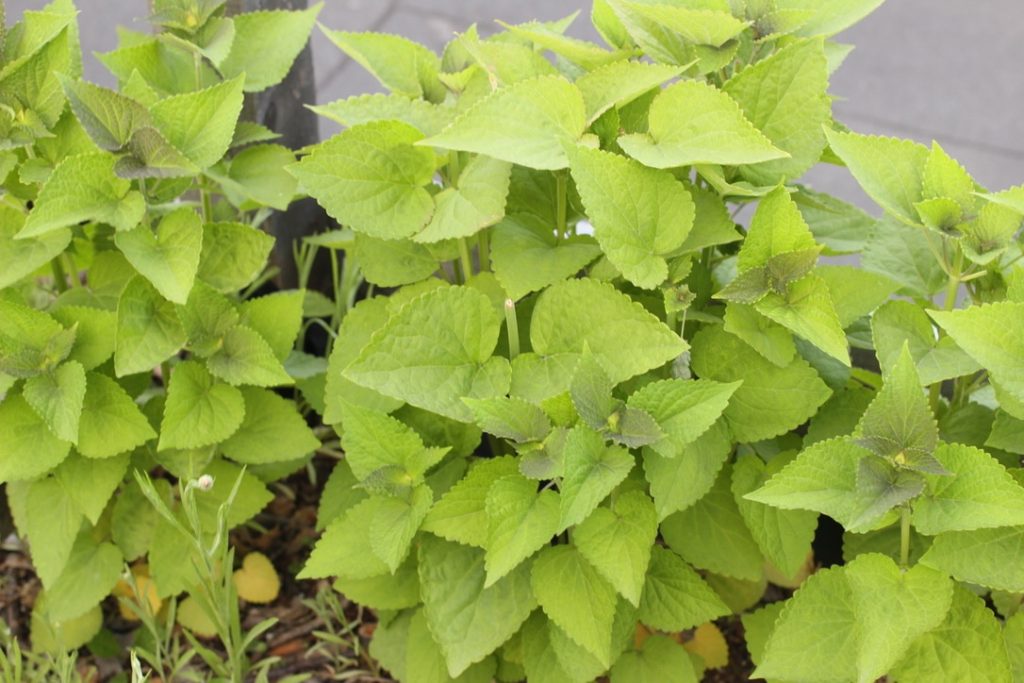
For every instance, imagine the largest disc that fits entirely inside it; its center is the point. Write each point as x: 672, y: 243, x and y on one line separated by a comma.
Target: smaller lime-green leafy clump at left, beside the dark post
x: 132, y: 334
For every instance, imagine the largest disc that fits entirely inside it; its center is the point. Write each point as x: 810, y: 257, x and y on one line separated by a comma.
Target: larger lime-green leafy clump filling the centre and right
x: 592, y: 411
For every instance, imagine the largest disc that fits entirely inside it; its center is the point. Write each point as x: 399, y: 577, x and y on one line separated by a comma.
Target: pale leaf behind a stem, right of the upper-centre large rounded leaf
x: 477, y: 202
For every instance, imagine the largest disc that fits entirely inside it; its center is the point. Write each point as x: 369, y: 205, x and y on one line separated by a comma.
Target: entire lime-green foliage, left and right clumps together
x: 608, y: 378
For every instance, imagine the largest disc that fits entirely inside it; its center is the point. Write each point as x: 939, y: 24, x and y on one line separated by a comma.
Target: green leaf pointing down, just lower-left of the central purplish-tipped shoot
x: 521, y: 522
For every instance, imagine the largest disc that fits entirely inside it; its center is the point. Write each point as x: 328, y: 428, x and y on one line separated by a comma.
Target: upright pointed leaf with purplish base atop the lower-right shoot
x: 900, y: 423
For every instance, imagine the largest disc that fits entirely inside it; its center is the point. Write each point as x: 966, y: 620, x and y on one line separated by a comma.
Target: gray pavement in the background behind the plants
x: 946, y: 70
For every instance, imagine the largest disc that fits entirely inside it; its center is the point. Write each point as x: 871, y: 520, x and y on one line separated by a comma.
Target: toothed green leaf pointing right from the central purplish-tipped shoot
x: 685, y: 410
